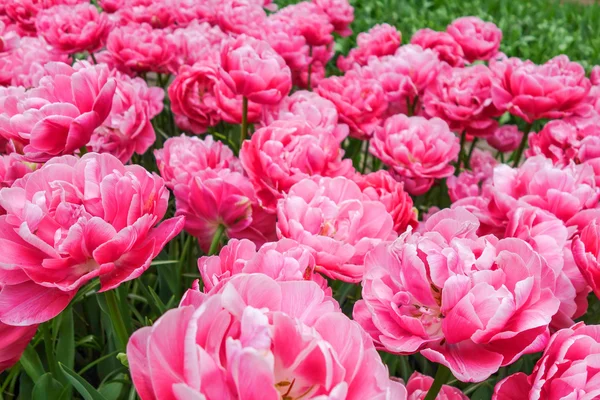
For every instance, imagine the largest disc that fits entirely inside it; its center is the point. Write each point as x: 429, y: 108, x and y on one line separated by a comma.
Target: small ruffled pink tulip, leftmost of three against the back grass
x: 380, y: 40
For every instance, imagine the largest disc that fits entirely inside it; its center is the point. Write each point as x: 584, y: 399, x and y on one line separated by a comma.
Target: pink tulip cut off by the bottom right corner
x: 567, y: 369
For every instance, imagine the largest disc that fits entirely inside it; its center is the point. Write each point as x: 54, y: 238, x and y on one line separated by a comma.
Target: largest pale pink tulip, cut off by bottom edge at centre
x: 287, y: 339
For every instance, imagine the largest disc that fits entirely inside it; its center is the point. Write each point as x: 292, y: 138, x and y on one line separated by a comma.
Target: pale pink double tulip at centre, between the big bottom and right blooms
x: 337, y: 221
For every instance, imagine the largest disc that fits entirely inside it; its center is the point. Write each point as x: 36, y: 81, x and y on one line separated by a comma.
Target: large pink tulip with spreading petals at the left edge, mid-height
x: 74, y: 220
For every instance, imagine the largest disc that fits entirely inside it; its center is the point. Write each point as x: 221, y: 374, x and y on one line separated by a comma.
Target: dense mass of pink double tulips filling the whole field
x: 453, y: 191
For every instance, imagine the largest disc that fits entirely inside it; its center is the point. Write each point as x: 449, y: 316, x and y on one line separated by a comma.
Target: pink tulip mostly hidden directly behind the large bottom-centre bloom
x: 284, y: 260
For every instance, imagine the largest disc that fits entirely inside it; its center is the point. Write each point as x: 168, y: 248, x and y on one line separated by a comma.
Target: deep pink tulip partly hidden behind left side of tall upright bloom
x: 192, y: 97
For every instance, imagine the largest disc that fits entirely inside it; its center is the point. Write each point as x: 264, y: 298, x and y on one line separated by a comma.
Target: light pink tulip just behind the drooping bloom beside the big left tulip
x: 183, y: 157
